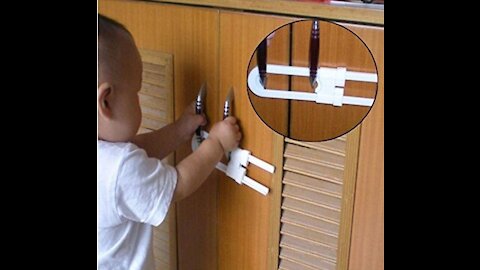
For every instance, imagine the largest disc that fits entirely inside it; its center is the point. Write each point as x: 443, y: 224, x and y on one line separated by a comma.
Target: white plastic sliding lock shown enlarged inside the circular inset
x: 330, y: 89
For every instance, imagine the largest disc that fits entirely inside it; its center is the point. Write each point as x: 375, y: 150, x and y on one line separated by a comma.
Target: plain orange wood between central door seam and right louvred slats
x: 244, y: 228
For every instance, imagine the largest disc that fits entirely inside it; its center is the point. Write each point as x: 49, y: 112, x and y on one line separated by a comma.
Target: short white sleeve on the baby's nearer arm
x: 144, y: 188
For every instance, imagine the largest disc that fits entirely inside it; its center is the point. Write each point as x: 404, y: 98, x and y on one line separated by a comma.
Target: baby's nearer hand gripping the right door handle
x: 227, y: 133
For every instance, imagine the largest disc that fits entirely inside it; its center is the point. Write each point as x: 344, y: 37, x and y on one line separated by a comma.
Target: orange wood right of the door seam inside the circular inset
x: 338, y: 47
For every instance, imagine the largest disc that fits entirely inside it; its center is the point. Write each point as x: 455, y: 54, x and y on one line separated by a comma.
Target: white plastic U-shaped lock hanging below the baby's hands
x: 237, y: 166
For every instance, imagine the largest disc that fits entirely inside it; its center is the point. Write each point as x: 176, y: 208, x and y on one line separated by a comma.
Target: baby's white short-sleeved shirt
x: 133, y: 193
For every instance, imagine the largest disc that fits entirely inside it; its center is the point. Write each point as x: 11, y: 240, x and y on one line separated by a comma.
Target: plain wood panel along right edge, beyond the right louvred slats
x: 367, y: 246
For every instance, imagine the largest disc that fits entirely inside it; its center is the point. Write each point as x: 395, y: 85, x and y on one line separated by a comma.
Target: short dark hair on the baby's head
x: 109, y: 34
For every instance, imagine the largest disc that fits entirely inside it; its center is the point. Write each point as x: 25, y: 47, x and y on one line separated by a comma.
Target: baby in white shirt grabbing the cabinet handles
x: 134, y: 188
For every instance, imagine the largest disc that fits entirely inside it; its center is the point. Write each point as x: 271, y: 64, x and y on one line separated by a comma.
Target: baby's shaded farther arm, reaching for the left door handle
x: 163, y: 141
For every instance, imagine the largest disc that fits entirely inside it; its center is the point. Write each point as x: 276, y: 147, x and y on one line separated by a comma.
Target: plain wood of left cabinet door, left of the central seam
x: 191, y: 36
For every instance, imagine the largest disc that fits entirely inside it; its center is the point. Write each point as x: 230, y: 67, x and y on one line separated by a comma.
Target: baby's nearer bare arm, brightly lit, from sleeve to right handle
x: 194, y: 169
